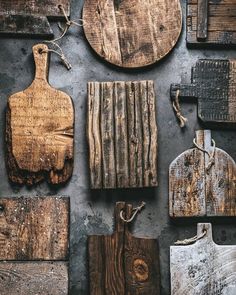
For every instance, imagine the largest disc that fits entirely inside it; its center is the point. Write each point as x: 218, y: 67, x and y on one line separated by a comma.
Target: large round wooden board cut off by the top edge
x: 132, y: 33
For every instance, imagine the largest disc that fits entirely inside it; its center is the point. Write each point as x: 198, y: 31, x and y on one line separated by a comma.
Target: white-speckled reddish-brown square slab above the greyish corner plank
x: 34, y: 228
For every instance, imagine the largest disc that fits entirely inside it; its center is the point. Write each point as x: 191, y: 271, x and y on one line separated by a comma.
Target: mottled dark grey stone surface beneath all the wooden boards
x: 92, y: 211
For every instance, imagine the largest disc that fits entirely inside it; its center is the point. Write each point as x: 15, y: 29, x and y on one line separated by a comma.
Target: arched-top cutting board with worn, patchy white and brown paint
x: 196, y: 191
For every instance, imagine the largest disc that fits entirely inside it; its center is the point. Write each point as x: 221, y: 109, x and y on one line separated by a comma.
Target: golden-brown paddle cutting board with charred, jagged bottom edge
x: 40, y: 129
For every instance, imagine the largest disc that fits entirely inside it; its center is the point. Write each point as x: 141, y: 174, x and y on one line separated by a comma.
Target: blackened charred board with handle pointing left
x: 213, y: 84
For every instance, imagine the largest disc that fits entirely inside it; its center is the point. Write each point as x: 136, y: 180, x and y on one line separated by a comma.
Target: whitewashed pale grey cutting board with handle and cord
x: 203, y: 267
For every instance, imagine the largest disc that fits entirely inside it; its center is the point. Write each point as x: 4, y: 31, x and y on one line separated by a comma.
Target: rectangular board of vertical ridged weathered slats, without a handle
x: 122, y: 134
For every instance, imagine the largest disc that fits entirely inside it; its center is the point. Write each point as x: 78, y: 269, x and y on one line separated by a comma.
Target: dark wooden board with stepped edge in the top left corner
x: 20, y: 17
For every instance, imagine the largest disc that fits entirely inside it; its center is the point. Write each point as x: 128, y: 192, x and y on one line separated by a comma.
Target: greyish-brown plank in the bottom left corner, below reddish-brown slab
x: 33, y: 278
